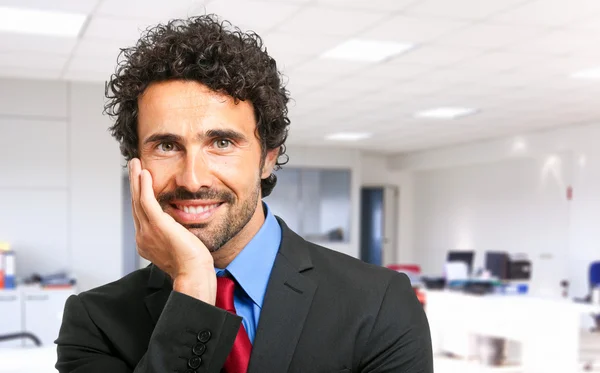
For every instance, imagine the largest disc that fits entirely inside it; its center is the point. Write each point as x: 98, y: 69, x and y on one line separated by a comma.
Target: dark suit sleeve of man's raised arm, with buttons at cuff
x: 190, y: 336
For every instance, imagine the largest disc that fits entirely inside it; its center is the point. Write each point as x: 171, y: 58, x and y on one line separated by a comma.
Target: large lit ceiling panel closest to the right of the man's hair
x: 367, y: 50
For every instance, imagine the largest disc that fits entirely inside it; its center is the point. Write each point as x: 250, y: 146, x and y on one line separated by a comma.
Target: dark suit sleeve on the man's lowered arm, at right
x: 400, y: 341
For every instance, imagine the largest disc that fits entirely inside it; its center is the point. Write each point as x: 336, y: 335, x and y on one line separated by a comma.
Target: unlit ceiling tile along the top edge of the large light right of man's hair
x: 413, y: 29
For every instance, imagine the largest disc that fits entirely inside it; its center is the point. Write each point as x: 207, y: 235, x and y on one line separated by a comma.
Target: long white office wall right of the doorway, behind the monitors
x: 510, y: 194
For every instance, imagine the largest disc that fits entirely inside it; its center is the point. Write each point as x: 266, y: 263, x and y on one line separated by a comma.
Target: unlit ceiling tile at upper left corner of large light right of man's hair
x: 325, y: 21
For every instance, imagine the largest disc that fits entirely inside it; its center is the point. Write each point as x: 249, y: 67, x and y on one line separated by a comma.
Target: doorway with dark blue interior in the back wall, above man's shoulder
x: 378, y: 224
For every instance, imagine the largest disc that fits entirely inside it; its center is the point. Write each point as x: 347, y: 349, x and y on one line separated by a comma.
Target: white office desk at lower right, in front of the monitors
x: 548, y: 330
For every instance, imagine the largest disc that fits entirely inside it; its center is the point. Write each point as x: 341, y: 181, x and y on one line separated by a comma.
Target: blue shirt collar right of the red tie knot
x: 251, y: 268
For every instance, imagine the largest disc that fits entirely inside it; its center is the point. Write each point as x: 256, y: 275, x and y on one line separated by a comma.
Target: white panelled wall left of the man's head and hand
x: 59, y: 180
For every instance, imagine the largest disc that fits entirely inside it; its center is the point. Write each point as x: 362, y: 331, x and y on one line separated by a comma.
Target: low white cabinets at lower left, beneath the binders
x: 32, y: 310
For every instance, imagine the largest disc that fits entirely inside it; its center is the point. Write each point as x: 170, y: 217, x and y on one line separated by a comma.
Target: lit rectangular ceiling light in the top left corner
x: 40, y: 22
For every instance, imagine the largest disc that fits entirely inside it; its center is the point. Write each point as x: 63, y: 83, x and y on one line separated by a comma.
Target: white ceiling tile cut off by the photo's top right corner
x: 550, y: 12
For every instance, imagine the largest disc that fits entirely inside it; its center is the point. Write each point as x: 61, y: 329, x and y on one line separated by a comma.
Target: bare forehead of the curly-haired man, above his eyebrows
x: 189, y: 107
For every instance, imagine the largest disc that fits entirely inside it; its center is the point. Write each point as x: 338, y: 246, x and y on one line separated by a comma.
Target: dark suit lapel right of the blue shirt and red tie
x: 287, y: 303
